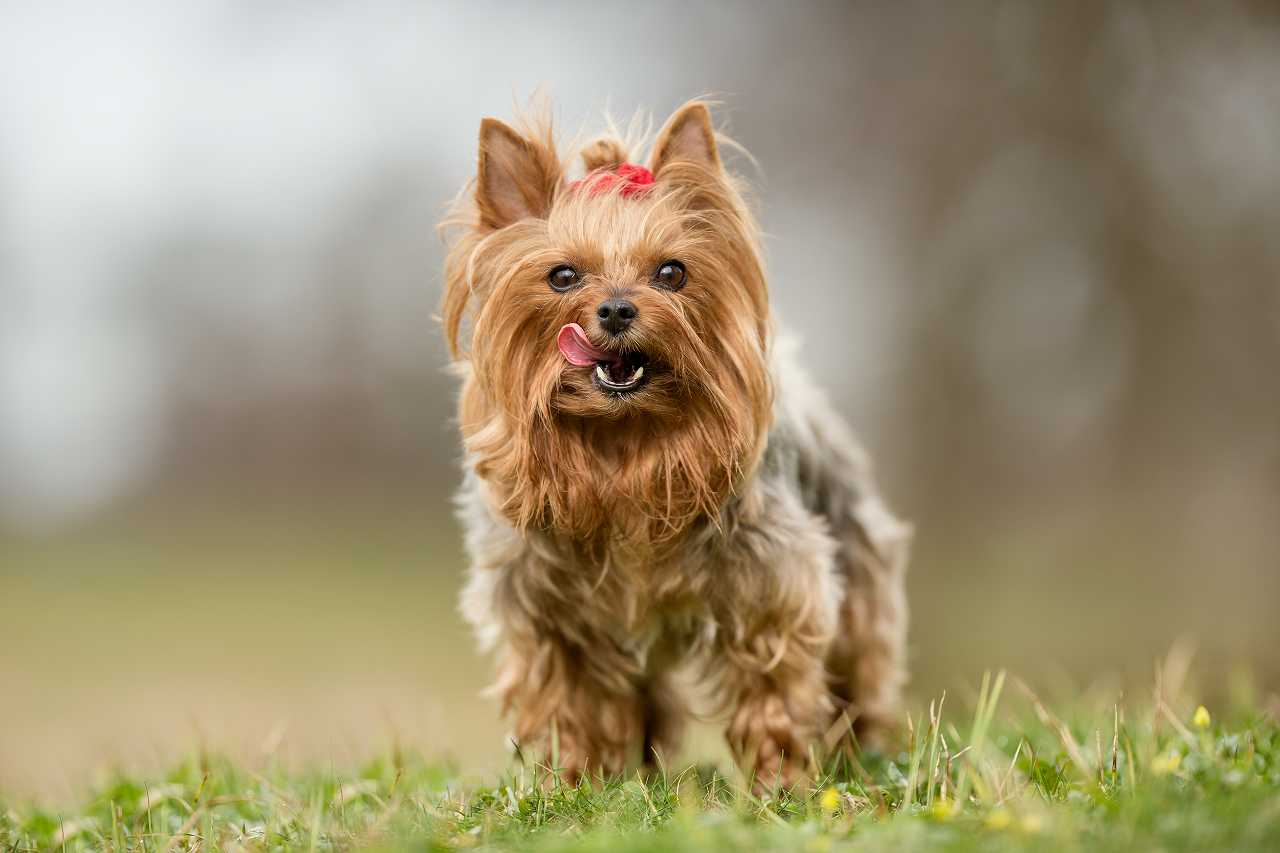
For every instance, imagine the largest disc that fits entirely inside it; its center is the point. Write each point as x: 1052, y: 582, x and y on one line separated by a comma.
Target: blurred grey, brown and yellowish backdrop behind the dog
x: 1034, y: 252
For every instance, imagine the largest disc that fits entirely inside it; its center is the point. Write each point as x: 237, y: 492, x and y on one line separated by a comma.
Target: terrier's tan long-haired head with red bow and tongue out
x: 615, y: 327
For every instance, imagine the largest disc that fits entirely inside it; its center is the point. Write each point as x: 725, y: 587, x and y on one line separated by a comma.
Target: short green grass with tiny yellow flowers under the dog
x: 1005, y: 773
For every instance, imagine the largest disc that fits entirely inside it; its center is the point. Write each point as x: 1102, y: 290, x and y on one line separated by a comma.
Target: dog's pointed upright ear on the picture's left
x: 518, y: 179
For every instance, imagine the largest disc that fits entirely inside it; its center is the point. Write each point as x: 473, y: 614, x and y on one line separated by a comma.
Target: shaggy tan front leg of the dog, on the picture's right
x: 776, y: 619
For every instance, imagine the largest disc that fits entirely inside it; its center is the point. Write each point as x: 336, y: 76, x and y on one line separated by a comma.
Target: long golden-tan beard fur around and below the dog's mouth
x: 568, y: 453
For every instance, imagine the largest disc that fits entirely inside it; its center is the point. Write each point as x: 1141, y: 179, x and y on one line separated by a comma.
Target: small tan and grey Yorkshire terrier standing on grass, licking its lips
x: 651, y: 478
